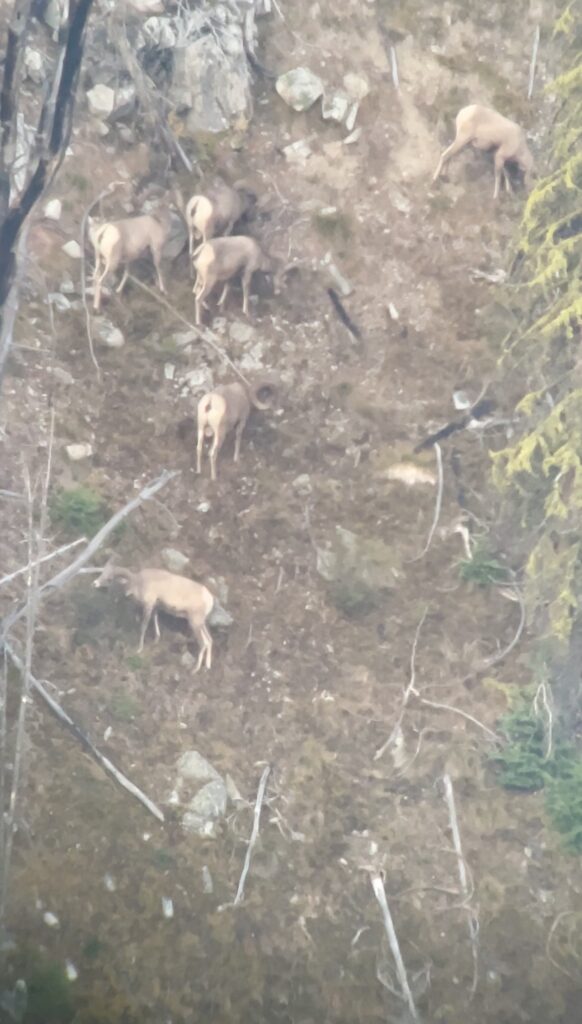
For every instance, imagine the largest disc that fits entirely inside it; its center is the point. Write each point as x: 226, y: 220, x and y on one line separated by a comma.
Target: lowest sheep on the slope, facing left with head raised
x: 177, y: 594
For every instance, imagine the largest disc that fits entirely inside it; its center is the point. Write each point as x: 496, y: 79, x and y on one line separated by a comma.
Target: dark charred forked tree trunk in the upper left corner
x: 53, y: 134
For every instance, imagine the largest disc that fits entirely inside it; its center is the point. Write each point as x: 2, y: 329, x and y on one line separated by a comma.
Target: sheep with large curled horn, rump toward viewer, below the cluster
x: 220, y: 412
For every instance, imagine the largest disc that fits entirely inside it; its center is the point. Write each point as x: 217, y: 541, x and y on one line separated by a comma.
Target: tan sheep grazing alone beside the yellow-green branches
x: 489, y: 131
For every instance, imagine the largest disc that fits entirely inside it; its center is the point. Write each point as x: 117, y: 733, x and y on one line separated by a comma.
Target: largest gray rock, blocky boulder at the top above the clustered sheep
x: 212, y: 82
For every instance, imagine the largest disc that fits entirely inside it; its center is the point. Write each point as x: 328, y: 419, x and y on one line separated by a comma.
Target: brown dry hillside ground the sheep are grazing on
x: 296, y: 684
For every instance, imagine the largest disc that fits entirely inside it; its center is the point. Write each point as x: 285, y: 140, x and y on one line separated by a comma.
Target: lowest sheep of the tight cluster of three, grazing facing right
x: 222, y: 260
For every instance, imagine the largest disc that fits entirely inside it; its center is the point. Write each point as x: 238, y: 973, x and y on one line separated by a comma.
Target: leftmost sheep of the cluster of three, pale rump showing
x: 120, y: 242
